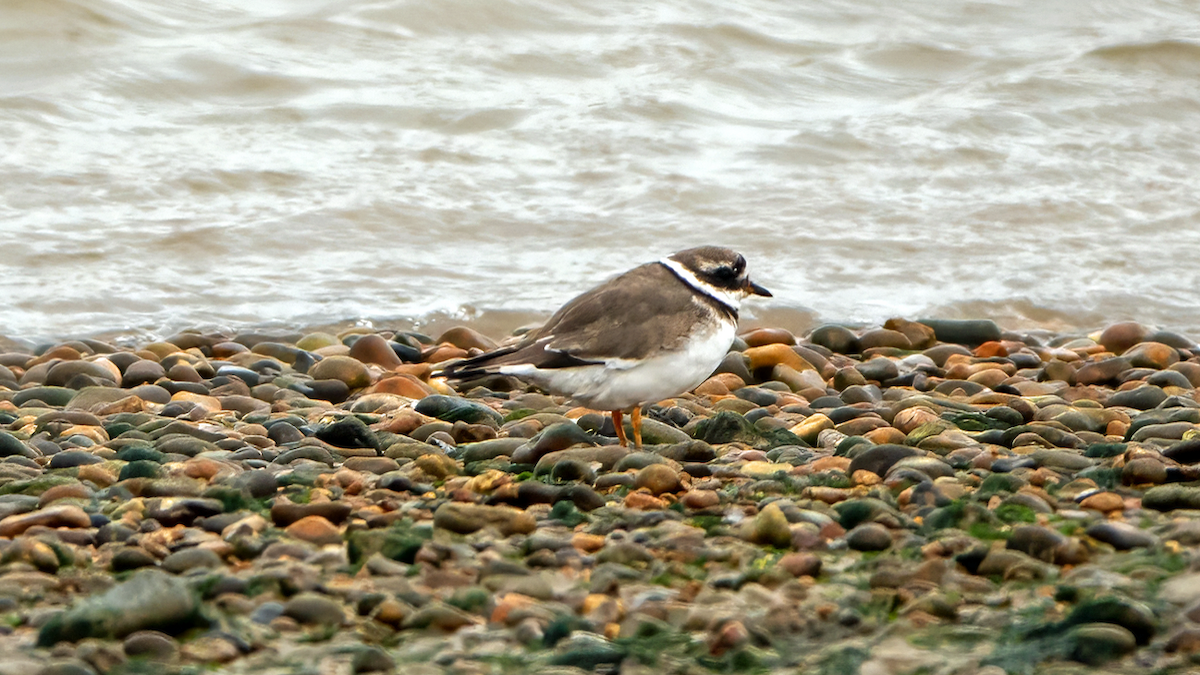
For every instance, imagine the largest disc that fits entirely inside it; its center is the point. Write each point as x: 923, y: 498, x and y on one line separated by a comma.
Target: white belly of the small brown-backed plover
x: 625, y: 384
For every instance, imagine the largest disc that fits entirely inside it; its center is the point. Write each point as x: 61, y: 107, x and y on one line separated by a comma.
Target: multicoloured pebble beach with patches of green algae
x: 935, y: 498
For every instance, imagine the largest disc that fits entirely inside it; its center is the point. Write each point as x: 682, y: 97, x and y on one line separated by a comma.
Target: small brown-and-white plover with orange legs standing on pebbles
x: 652, y: 333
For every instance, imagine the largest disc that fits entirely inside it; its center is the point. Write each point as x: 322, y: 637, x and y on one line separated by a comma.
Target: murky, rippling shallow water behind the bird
x: 170, y: 164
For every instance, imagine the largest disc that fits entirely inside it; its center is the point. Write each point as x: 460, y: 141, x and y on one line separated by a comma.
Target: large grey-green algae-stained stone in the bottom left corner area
x: 149, y: 600
